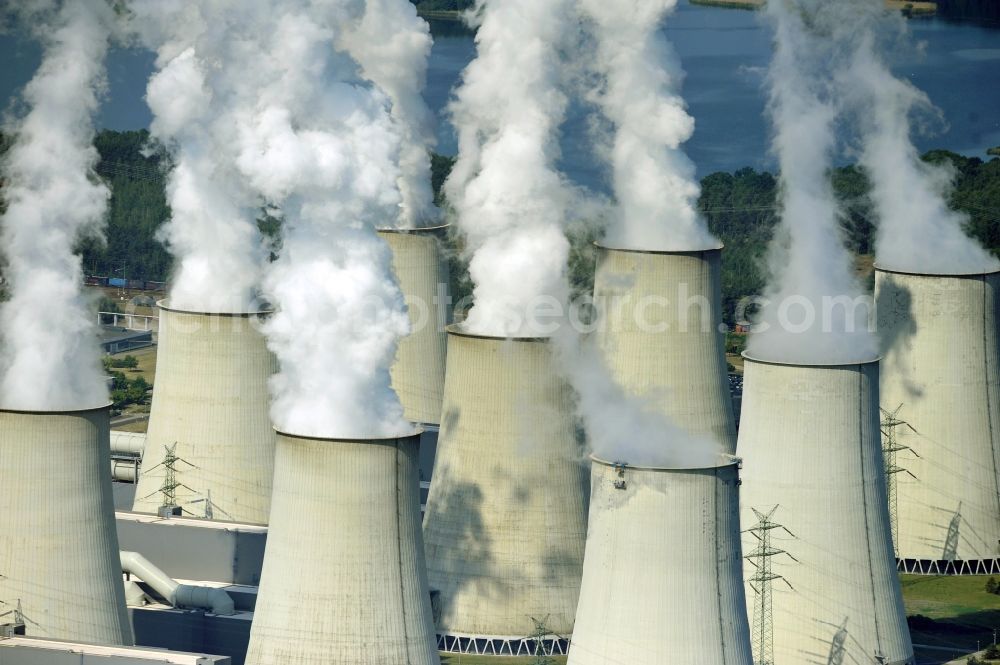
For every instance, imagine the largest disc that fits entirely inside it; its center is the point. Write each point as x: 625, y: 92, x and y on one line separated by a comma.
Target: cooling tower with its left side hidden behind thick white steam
x: 418, y: 373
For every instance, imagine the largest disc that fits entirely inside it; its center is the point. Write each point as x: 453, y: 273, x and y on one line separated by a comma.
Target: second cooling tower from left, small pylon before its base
x: 210, y: 407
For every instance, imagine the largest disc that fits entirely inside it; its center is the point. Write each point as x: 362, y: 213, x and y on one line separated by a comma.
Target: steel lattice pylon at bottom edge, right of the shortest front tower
x: 761, y: 582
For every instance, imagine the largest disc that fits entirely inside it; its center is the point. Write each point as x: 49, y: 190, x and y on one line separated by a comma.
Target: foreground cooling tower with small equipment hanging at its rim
x: 662, y: 576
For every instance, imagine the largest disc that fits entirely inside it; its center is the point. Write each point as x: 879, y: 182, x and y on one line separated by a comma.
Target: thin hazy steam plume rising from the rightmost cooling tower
x: 917, y: 231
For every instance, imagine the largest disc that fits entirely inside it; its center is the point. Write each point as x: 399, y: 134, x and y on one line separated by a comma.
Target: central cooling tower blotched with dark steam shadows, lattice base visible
x: 505, y: 523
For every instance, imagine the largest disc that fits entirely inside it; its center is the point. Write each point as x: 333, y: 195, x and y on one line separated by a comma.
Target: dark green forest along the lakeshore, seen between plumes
x: 740, y: 209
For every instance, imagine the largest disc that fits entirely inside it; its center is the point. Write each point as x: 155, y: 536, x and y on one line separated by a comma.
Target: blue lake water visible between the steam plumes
x: 724, y: 52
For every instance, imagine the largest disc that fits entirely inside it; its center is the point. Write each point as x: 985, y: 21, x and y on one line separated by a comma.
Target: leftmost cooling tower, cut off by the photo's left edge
x: 59, y: 567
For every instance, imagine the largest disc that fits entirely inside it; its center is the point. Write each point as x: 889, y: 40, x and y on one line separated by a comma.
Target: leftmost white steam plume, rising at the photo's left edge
x: 49, y: 357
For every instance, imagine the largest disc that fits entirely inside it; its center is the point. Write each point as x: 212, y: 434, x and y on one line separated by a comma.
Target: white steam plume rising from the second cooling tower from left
x: 203, y: 50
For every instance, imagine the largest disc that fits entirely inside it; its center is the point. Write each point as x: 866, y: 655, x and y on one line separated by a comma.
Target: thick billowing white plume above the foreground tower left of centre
x: 319, y: 145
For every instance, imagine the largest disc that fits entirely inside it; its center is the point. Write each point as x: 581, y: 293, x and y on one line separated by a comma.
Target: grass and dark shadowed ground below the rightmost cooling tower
x: 953, y: 611
